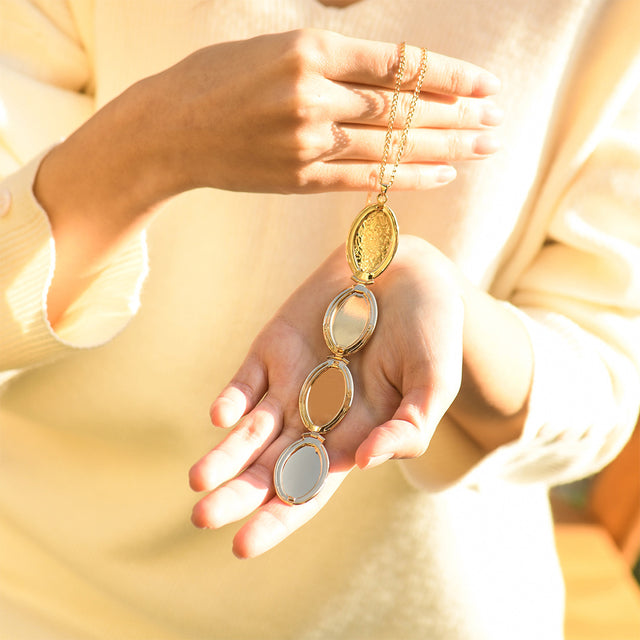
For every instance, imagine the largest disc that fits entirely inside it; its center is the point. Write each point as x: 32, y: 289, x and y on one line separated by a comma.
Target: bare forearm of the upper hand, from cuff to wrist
x: 98, y: 187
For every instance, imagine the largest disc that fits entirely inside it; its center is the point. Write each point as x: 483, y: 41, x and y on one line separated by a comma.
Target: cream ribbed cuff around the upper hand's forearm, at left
x: 27, y: 262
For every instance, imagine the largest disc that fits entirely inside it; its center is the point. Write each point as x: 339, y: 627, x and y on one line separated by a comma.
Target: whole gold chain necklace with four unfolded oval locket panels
x: 349, y: 321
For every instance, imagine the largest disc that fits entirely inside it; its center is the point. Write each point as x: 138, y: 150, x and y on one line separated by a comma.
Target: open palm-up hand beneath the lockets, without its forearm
x: 405, y: 379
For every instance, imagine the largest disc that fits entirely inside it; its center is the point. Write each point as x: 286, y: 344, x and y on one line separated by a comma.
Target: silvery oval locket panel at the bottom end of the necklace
x: 301, y: 470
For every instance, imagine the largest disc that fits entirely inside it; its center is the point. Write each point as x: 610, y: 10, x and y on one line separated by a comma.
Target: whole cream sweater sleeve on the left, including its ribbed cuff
x: 45, y: 81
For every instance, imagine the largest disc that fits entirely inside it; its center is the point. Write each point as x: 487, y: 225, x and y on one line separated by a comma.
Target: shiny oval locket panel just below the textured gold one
x: 350, y: 320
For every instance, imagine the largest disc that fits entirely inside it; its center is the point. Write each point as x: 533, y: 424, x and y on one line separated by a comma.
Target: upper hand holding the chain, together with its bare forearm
x: 313, y: 119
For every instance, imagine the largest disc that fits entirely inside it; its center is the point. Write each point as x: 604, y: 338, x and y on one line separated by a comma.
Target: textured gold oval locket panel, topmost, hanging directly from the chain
x: 372, y: 242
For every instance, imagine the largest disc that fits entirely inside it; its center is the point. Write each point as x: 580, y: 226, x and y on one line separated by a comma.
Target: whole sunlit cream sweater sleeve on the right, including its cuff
x: 580, y: 301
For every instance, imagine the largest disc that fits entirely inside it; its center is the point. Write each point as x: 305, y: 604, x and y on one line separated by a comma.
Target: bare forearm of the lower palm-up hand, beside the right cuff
x: 497, y: 372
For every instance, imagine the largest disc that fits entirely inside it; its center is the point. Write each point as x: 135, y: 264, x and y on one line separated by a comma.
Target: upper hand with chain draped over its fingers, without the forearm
x: 307, y: 111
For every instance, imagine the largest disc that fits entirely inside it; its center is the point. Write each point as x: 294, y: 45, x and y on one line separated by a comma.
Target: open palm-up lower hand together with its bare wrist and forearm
x: 440, y: 345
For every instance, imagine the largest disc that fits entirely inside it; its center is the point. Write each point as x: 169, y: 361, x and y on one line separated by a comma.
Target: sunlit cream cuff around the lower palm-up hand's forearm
x: 575, y: 422
